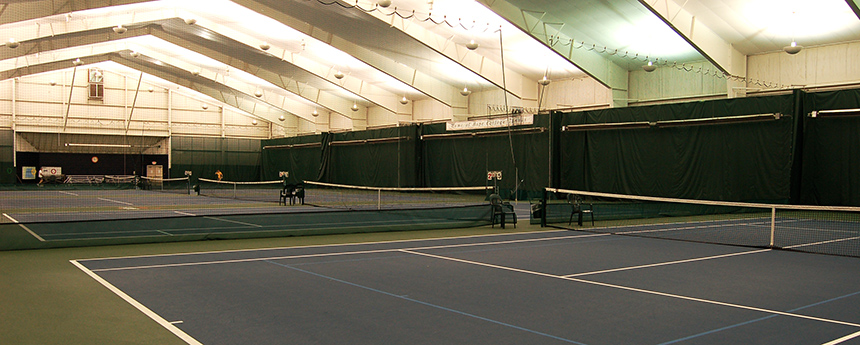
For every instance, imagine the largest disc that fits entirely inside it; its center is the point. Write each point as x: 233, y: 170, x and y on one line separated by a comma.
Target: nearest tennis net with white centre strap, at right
x: 815, y: 229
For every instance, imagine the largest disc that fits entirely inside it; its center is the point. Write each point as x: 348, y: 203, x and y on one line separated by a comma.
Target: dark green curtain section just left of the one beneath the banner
x: 392, y: 163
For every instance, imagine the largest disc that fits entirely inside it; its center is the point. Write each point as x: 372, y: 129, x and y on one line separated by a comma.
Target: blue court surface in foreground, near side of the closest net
x: 548, y: 287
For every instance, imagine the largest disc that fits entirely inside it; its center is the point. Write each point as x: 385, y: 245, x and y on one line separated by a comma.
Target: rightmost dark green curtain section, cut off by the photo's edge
x: 831, y: 156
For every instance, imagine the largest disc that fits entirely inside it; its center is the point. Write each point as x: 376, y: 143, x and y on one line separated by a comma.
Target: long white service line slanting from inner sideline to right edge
x: 627, y: 288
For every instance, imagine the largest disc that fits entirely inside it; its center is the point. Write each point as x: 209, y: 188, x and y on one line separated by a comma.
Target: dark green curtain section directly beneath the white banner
x: 464, y: 162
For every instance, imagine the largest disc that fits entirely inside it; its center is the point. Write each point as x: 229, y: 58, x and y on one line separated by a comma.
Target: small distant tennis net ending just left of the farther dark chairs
x: 263, y: 191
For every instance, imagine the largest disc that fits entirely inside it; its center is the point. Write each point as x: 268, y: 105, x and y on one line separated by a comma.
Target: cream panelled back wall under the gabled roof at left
x: 42, y: 107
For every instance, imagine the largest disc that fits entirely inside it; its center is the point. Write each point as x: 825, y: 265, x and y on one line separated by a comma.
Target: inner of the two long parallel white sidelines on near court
x: 304, y: 256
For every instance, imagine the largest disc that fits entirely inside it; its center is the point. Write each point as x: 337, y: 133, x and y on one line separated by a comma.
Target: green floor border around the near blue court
x: 47, y: 300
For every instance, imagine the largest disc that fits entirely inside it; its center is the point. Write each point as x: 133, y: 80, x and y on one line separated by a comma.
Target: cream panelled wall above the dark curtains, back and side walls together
x: 38, y: 106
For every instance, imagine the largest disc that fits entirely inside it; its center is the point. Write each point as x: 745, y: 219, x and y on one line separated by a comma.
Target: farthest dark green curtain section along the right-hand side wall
x: 302, y: 163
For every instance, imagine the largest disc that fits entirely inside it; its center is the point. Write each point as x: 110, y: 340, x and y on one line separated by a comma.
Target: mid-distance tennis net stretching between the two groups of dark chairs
x: 380, y: 198
